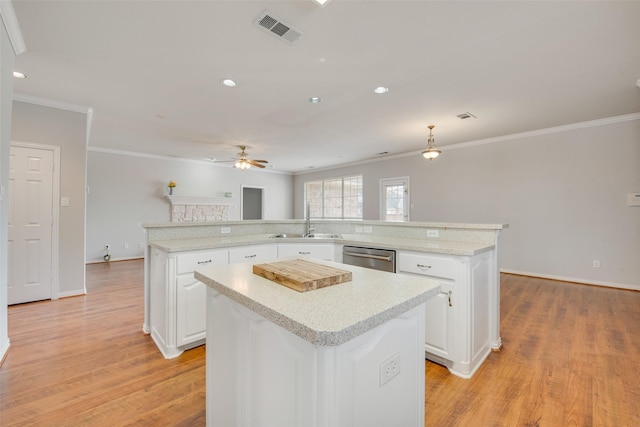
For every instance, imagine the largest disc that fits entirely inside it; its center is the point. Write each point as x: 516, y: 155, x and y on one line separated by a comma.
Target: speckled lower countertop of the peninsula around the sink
x: 383, y: 242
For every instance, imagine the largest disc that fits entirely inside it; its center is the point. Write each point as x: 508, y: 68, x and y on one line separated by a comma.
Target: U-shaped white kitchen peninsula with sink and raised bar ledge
x: 462, y: 324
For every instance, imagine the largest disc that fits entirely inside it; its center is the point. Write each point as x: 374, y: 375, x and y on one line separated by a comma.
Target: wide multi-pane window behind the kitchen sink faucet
x: 335, y: 198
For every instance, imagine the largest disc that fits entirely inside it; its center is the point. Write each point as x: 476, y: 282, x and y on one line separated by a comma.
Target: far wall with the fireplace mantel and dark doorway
x: 128, y: 190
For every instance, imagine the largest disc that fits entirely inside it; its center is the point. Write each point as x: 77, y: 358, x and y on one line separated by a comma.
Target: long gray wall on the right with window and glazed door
x: 562, y: 193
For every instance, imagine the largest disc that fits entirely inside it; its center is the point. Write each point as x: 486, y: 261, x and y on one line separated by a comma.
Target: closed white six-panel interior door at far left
x: 30, y: 272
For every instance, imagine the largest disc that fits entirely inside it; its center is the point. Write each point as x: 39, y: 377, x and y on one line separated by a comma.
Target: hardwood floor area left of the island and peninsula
x: 85, y: 361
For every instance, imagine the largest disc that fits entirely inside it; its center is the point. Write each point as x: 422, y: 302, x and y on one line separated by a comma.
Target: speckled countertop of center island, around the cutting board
x: 328, y: 316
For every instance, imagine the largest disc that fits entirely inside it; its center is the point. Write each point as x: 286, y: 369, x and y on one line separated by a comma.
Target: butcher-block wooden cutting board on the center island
x: 302, y: 275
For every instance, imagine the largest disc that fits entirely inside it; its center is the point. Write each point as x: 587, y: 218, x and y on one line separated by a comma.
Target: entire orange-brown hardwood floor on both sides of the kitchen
x: 571, y: 357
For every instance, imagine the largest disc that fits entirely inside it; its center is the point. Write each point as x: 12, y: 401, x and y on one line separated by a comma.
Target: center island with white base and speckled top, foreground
x: 347, y: 354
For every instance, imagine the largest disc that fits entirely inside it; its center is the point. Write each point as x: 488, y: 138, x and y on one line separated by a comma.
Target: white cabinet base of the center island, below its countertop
x: 259, y: 374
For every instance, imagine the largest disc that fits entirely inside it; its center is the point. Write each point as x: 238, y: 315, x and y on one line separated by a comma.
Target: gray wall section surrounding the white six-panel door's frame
x: 42, y: 124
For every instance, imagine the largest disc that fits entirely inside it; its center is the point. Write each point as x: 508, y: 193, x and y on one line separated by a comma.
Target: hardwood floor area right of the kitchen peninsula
x: 570, y: 358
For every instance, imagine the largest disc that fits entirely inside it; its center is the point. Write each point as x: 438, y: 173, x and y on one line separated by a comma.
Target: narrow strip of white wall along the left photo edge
x: 7, y: 60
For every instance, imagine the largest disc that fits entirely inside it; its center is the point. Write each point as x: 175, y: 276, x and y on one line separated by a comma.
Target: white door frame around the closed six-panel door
x: 55, y: 211
